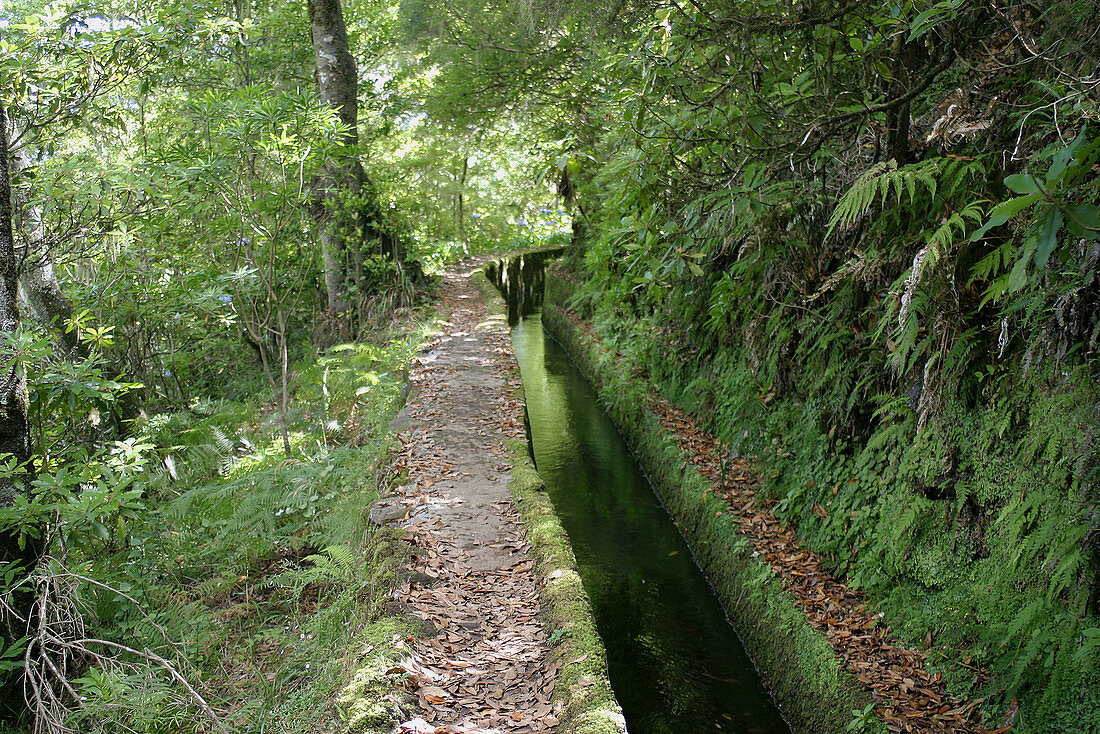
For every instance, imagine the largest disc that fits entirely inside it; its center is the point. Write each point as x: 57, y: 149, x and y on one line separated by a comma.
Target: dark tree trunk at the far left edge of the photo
x: 16, y: 549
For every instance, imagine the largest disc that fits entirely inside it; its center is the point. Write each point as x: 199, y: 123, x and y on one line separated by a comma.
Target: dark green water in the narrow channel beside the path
x: 676, y: 664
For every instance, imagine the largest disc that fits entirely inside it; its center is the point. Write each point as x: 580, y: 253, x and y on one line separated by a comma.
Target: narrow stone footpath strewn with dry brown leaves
x: 488, y: 669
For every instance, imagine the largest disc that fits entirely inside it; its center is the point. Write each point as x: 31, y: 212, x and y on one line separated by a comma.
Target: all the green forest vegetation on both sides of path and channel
x: 861, y: 239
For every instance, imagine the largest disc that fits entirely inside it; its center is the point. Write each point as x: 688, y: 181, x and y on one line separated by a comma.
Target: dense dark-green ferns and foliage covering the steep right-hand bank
x: 892, y: 341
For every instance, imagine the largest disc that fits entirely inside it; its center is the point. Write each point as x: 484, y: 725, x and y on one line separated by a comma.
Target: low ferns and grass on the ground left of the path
x: 257, y: 574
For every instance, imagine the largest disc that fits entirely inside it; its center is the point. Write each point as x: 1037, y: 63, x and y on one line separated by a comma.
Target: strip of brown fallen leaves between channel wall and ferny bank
x: 908, y: 697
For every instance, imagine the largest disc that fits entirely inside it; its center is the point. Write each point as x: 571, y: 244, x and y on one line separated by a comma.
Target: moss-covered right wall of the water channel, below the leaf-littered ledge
x: 796, y: 661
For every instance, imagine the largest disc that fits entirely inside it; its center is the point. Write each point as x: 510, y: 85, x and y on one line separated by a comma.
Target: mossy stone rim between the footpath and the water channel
x: 582, y: 687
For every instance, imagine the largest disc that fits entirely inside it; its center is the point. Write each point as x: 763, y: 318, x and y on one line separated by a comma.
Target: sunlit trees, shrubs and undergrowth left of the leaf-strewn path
x: 199, y: 222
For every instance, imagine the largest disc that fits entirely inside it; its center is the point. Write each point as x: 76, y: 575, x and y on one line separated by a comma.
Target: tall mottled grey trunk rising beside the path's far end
x: 337, y: 83
